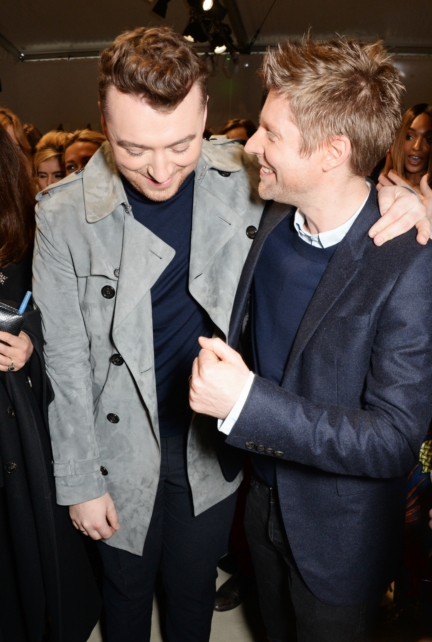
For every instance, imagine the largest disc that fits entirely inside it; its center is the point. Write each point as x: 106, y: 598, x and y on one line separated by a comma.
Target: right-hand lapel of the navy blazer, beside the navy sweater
x: 342, y: 268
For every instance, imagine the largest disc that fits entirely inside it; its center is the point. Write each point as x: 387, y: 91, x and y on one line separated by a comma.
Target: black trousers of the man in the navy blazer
x: 289, y: 609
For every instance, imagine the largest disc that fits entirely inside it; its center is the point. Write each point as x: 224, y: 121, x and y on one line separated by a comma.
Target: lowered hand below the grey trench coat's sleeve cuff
x: 96, y: 518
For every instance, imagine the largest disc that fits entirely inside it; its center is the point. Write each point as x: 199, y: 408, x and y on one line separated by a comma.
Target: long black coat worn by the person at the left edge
x: 44, y: 570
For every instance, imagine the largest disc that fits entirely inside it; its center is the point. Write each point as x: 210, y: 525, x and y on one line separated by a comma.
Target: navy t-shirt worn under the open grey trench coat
x: 178, y: 320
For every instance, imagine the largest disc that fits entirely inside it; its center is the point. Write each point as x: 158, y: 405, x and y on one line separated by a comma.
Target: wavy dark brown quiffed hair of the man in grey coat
x: 155, y: 63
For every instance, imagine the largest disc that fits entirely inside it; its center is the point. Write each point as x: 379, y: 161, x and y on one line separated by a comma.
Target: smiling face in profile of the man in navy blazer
x: 285, y: 175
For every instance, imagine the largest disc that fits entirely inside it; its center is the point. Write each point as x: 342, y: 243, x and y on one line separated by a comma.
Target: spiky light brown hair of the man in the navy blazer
x: 339, y: 87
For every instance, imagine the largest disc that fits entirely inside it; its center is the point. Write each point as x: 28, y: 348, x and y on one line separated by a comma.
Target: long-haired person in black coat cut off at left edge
x: 46, y: 582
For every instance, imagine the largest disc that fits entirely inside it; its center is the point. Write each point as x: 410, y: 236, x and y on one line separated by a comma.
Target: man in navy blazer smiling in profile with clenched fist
x: 336, y: 397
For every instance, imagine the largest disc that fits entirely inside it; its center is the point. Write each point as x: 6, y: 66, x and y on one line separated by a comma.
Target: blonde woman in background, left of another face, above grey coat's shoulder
x: 48, y: 159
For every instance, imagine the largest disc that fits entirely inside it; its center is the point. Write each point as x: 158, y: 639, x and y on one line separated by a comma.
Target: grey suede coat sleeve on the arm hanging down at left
x: 67, y: 355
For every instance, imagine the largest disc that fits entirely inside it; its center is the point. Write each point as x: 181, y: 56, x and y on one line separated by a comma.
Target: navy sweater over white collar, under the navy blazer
x: 286, y: 277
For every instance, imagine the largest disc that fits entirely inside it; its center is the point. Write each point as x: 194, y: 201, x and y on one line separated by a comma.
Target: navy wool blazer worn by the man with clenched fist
x: 353, y: 408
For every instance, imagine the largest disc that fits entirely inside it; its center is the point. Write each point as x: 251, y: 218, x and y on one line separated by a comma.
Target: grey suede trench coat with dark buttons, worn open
x: 94, y: 266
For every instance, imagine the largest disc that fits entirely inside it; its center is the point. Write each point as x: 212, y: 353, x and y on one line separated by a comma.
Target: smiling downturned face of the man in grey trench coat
x: 154, y: 150
